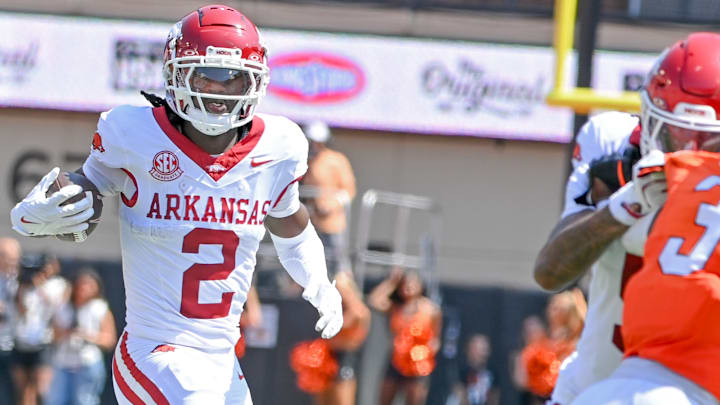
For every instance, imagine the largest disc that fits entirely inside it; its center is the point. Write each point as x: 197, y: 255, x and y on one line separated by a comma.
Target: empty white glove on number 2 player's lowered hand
x: 326, y: 299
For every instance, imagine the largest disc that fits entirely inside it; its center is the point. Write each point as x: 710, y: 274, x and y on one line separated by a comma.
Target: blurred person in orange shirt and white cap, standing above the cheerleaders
x: 330, y: 183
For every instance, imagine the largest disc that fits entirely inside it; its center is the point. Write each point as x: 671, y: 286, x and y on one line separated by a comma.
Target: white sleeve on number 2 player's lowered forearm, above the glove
x: 303, y: 256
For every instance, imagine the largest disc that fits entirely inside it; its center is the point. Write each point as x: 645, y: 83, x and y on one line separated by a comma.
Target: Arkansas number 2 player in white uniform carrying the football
x: 200, y: 178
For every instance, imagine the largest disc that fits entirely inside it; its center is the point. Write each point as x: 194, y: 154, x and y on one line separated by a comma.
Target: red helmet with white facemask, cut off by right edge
x: 681, y: 97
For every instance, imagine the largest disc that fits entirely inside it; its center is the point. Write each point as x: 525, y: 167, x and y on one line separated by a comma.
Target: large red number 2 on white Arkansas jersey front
x: 190, y: 306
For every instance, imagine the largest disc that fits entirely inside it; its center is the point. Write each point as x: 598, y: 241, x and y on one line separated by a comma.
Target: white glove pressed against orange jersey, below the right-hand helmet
x: 649, y: 179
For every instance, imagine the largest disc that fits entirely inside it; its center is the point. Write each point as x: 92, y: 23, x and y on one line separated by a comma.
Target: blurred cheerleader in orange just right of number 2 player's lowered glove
x: 345, y: 344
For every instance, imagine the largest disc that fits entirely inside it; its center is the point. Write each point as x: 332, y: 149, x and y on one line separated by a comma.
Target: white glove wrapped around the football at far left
x: 39, y: 215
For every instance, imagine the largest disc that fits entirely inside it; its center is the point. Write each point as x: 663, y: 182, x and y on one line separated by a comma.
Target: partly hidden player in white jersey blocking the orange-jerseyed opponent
x: 601, y: 203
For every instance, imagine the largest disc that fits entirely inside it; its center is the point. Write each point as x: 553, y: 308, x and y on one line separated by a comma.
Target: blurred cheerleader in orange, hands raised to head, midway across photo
x: 415, y: 324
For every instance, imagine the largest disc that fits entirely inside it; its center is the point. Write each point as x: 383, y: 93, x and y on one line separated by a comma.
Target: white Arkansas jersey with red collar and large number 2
x: 191, y: 223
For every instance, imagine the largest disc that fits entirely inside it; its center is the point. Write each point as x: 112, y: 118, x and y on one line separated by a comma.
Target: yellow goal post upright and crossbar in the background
x: 580, y: 99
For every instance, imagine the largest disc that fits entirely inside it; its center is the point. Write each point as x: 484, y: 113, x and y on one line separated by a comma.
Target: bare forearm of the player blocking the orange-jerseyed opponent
x: 575, y: 244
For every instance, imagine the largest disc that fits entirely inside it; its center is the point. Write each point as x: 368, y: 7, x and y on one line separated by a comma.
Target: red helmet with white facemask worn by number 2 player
x: 215, y: 69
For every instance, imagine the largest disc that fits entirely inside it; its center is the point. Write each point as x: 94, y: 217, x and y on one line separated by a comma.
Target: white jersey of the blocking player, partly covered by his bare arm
x: 599, y: 350
